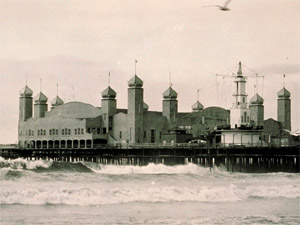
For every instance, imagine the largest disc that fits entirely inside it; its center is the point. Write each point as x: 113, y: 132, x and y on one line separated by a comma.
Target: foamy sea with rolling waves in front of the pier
x: 48, y: 192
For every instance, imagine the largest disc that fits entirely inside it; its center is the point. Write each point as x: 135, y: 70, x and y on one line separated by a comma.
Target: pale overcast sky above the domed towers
x: 76, y: 44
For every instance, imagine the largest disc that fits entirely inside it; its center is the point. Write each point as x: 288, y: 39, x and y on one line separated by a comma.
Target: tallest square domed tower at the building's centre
x: 135, y: 109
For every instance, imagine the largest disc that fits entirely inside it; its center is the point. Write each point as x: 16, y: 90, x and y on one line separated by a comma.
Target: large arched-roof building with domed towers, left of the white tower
x: 81, y: 125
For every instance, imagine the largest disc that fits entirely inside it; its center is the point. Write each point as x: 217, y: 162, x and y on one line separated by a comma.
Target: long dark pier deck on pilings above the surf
x: 233, y: 159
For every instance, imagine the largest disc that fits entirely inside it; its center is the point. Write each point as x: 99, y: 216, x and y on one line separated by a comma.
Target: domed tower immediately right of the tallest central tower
x: 170, y: 107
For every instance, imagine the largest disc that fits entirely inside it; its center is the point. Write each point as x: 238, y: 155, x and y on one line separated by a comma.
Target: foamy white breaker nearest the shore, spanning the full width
x: 103, y: 196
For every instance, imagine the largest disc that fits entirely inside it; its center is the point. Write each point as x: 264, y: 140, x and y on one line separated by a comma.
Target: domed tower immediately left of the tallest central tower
x: 108, y: 107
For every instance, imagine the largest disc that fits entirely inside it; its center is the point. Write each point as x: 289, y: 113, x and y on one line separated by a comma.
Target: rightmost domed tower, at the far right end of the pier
x: 284, y: 108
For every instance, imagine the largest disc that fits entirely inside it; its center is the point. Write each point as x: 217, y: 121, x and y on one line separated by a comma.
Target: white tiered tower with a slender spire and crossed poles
x: 239, y: 112
